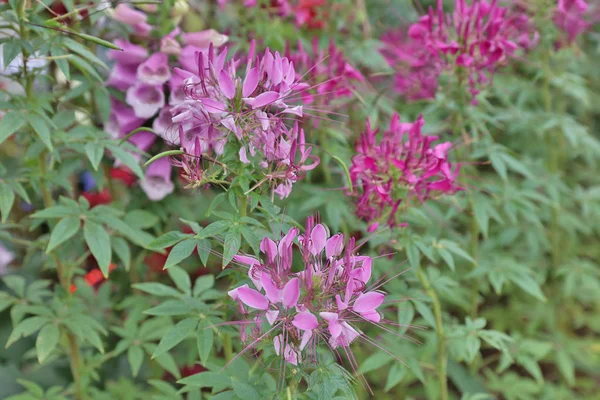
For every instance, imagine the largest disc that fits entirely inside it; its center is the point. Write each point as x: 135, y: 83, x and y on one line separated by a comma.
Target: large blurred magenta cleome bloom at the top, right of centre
x: 477, y: 38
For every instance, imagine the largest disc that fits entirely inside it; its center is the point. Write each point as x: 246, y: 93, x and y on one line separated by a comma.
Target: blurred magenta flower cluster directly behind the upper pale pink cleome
x: 328, y: 71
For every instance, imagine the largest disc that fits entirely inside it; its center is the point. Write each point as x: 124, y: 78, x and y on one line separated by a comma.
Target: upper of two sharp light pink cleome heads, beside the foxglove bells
x: 252, y: 110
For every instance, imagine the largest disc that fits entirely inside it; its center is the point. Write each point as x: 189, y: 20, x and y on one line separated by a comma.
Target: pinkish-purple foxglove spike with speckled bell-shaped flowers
x: 150, y: 87
